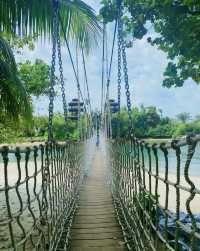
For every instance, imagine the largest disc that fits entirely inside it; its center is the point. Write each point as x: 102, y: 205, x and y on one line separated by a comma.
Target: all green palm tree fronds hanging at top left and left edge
x: 28, y: 17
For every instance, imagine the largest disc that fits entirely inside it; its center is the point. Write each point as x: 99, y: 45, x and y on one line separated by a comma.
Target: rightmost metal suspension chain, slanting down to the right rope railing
x: 122, y: 44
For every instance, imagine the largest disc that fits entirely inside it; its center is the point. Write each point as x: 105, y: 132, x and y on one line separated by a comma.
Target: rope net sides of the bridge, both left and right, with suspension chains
x: 39, y: 185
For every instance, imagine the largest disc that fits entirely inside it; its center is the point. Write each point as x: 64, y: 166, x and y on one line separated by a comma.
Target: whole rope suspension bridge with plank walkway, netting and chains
x: 75, y: 195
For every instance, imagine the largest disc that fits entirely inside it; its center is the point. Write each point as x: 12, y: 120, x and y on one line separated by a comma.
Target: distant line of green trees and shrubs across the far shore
x: 148, y: 122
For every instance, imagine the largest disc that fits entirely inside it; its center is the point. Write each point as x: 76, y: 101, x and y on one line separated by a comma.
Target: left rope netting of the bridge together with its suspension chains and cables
x: 39, y: 185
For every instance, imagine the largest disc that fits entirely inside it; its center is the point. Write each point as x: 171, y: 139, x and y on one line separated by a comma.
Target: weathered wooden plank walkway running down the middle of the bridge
x: 95, y: 226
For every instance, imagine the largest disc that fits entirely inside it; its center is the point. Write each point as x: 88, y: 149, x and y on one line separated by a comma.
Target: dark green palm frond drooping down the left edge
x: 14, y: 101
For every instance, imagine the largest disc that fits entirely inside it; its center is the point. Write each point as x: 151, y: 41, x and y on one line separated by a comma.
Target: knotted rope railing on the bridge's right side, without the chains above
x: 156, y: 196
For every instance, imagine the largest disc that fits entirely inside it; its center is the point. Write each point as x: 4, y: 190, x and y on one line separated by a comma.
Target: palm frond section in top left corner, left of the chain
x: 26, y: 17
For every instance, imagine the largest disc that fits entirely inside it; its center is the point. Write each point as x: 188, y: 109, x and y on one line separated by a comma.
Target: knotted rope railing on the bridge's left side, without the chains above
x: 38, y: 192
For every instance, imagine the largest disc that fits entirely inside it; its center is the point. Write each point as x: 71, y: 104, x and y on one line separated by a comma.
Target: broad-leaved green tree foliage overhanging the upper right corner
x: 177, y: 25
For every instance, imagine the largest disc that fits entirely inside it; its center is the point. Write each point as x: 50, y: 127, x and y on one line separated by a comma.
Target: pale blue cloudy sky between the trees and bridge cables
x: 146, y: 65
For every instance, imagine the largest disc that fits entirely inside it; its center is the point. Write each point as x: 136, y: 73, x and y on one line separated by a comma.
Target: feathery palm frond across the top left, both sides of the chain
x: 35, y: 17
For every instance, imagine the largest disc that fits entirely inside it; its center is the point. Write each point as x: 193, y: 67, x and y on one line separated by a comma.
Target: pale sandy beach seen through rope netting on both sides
x: 27, y: 220
